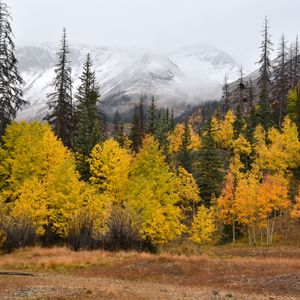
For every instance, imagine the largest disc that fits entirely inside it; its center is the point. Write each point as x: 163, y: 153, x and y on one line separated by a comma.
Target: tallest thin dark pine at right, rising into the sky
x: 264, y: 113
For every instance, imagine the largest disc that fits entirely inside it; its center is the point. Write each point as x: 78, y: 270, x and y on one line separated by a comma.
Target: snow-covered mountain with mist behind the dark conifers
x: 186, y: 76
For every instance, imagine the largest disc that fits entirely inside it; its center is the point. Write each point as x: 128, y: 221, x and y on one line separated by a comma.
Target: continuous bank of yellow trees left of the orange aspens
x: 39, y: 186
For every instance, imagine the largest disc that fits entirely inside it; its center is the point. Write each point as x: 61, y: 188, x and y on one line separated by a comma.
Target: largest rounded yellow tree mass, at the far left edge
x: 40, y: 179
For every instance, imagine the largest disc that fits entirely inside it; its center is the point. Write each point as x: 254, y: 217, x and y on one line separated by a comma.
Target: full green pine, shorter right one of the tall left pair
x: 88, y: 127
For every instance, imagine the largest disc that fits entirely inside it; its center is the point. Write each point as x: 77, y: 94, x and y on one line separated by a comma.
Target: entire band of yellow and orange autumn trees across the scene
x: 39, y: 184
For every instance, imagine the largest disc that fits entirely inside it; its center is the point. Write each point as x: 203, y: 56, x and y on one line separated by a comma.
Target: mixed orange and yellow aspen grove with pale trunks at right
x: 254, y: 196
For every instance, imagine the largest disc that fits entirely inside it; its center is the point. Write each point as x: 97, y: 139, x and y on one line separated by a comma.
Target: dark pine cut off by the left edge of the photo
x: 10, y: 80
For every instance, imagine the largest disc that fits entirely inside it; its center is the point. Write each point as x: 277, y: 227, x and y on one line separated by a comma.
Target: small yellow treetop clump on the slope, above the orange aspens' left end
x: 222, y: 130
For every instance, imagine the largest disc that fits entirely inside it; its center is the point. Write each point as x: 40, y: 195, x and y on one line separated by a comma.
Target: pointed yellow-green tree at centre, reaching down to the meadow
x: 151, y: 195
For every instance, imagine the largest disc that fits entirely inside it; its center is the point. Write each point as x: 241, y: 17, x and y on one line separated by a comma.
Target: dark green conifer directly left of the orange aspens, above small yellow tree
x: 209, y: 169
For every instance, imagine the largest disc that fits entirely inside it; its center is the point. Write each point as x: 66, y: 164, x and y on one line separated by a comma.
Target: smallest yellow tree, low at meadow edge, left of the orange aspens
x: 203, y: 225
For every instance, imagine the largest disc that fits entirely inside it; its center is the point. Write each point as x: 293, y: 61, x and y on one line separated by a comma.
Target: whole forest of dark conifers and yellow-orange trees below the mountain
x: 228, y: 173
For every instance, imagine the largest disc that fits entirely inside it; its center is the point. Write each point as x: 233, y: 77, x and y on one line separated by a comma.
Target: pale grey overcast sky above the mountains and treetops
x: 160, y: 25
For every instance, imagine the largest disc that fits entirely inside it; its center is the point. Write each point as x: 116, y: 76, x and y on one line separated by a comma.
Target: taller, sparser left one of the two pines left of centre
x: 59, y: 102
